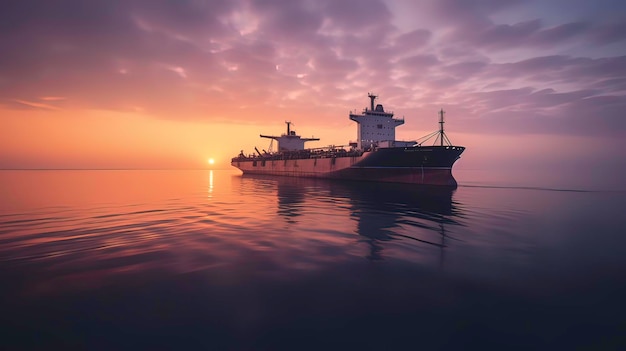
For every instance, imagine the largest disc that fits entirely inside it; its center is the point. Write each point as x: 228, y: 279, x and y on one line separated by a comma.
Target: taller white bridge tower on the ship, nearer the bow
x: 375, y: 125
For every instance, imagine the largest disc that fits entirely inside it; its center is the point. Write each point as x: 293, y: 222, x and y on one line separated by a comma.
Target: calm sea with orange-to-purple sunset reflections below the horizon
x: 215, y: 260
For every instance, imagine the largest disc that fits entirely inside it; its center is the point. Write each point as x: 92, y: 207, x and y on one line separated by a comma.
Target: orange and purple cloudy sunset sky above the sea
x: 169, y: 84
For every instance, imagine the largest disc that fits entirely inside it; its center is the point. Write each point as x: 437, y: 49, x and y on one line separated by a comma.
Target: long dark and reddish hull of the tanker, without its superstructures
x: 412, y: 165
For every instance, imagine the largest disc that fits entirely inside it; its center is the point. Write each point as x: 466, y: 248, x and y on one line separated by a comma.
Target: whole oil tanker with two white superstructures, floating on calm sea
x: 374, y: 156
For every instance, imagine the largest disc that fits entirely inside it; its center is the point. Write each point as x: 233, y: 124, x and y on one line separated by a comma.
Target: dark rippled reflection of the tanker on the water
x: 380, y: 213
